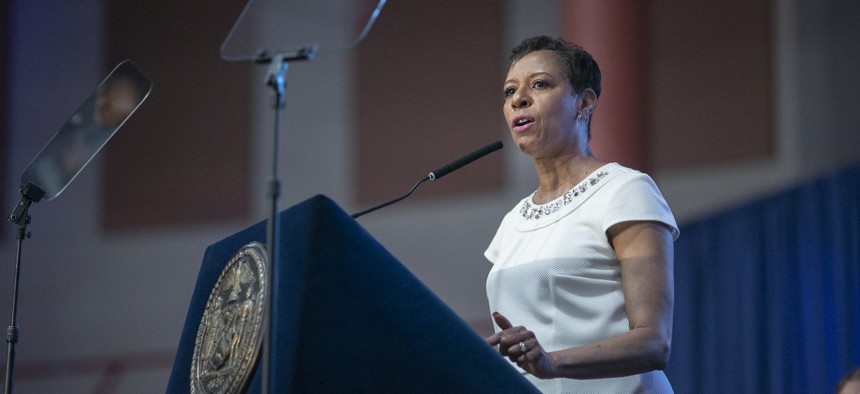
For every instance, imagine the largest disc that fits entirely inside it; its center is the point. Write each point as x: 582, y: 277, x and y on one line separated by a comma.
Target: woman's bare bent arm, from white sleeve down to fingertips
x: 644, y: 251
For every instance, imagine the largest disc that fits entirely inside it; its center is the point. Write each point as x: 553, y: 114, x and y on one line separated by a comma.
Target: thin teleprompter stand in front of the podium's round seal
x: 276, y: 79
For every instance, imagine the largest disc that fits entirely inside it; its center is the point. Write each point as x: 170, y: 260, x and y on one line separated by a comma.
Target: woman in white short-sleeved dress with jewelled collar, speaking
x: 582, y: 282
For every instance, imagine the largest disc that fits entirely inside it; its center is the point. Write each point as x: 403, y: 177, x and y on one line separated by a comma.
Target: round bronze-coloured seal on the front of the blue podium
x: 230, y: 332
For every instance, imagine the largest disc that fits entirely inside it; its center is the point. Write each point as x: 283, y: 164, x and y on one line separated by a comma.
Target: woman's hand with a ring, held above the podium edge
x: 521, y: 347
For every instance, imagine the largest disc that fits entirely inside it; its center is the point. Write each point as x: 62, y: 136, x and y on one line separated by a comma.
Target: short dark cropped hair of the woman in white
x: 581, y: 69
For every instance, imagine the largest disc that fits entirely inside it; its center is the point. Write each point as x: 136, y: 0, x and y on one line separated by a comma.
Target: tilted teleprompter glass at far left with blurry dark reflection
x: 88, y: 129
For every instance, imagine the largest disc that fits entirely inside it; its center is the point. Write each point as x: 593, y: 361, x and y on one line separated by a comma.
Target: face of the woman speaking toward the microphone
x: 540, y: 106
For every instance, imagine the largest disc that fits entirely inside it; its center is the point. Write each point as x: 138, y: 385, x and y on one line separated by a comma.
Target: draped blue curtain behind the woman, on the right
x: 767, y: 294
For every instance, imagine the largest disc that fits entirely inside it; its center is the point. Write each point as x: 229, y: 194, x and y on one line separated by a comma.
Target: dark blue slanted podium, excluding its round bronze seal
x: 349, y: 317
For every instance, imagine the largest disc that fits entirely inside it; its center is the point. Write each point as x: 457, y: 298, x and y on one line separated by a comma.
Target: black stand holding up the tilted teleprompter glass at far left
x: 30, y: 193
